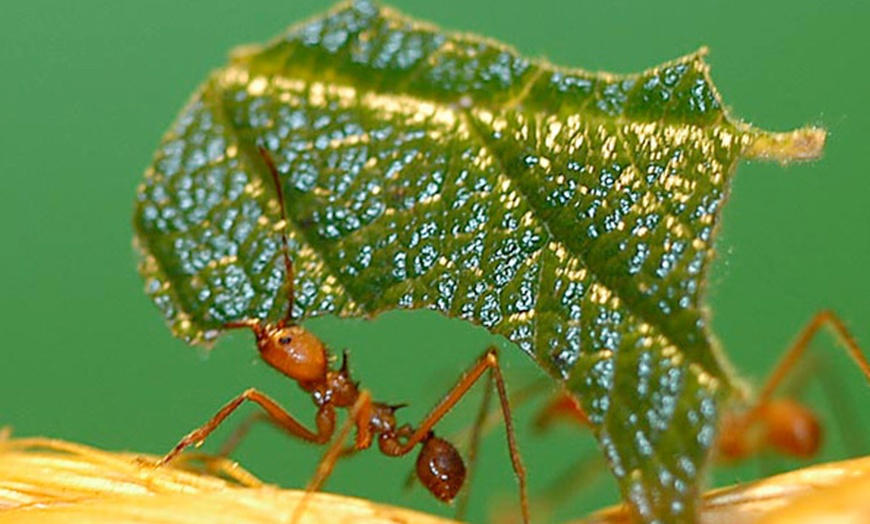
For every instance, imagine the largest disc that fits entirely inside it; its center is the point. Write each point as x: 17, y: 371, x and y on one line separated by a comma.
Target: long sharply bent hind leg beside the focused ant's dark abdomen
x: 487, y: 362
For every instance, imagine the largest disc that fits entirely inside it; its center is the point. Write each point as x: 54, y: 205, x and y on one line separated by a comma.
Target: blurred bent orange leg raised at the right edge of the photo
x: 798, y: 348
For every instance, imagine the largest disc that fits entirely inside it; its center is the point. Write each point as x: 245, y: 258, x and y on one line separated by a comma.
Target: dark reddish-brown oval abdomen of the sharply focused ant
x: 440, y: 468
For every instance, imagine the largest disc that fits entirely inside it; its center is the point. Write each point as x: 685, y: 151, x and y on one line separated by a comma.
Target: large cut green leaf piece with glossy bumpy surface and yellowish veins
x: 572, y: 213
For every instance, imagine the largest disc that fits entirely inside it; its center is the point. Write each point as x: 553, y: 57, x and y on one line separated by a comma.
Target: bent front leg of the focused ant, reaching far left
x: 325, y: 423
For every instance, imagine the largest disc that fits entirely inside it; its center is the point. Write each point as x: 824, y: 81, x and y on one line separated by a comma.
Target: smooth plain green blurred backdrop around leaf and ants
x: 88, y: 87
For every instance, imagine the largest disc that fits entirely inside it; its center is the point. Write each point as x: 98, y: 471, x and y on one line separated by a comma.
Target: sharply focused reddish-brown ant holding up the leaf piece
x: 303, y: 357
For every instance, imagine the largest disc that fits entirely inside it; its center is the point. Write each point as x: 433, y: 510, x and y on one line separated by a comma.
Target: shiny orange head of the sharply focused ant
x: 293, y: 351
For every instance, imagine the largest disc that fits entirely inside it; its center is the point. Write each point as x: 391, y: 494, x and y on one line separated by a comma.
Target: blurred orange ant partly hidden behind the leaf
x: 779, y: 424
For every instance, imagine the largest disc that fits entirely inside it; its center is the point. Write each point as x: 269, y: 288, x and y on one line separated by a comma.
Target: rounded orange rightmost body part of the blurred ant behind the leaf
x: 792, y: 428
